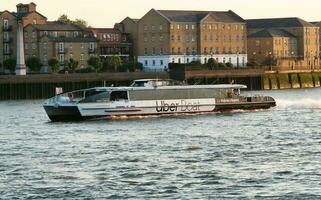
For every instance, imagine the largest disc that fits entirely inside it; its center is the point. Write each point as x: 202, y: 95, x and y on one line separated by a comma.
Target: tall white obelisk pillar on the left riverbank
x: 21, y: 66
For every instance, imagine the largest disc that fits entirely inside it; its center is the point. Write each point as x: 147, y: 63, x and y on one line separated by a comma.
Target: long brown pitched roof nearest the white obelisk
x: 56, y: 27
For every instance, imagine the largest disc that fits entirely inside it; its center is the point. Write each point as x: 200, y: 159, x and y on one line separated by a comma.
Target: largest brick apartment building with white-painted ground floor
x: 167, y: 36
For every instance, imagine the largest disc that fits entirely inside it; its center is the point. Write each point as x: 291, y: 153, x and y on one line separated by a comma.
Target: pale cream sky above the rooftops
x: 105, y: 13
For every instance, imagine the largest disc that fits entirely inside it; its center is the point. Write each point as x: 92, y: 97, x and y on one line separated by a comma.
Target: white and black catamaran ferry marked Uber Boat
x: 150, y: 97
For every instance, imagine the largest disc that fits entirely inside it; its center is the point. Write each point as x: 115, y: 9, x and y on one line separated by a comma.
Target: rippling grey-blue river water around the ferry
x: 273, y: 154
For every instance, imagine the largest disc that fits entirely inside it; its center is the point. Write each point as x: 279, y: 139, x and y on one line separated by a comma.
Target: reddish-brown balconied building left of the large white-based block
x: 112, y: 41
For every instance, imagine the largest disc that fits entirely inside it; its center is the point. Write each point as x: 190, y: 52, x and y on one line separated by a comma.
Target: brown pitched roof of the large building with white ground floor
x: 197, y: 16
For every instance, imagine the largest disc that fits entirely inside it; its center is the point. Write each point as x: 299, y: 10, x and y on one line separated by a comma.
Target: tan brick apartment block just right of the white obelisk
x: 61, y: 41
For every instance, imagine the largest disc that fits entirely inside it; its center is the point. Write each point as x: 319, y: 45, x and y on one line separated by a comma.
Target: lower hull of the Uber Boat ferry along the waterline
x: 77, y: 113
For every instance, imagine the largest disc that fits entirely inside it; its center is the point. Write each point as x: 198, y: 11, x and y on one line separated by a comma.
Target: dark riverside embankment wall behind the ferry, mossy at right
x: 43, y: 86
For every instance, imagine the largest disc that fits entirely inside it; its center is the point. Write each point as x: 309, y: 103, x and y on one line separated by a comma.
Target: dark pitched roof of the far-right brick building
x: 277, y: 22
